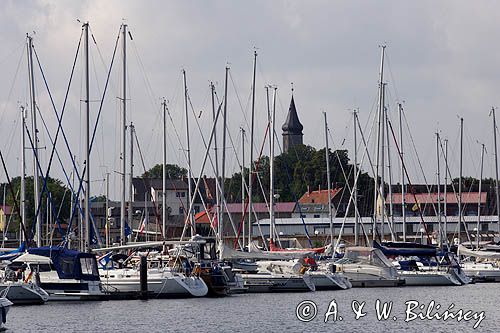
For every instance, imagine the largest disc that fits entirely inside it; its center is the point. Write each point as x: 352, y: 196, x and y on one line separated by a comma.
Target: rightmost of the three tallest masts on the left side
x: 123, y: 239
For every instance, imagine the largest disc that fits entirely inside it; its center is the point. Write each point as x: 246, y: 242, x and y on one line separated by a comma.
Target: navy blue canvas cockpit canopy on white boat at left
x: 69, y: 264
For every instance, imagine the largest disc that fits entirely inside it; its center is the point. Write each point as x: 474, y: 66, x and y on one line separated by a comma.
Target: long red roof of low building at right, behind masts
x: 432, y: 198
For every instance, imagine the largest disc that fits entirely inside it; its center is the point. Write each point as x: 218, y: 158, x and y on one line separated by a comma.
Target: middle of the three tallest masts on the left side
x: 86, y: 223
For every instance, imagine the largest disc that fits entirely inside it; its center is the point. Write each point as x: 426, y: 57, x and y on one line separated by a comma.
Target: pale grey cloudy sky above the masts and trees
x: 441, y: 64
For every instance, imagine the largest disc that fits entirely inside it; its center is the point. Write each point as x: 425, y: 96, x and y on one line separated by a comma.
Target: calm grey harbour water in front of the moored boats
x: 263, y: 312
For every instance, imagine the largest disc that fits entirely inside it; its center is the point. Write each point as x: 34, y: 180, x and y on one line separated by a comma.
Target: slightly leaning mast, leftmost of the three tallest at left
x: 36, y: 177
